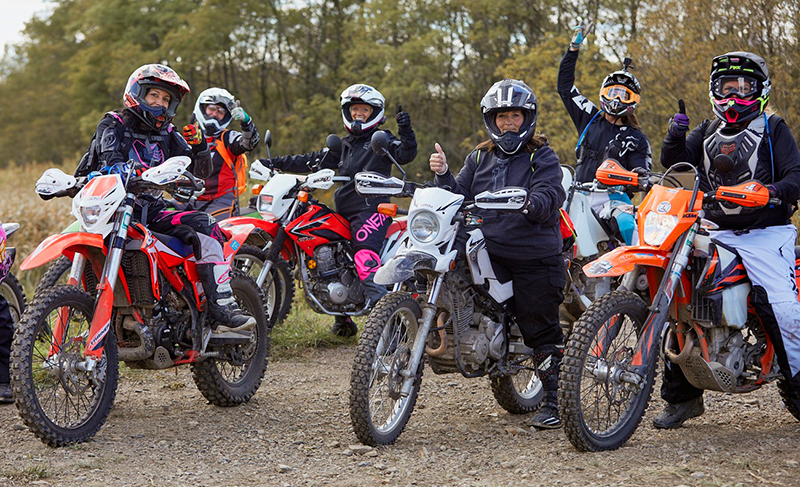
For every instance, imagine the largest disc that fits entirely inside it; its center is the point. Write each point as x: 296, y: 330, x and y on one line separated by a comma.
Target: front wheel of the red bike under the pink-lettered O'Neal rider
x: 278, y: 287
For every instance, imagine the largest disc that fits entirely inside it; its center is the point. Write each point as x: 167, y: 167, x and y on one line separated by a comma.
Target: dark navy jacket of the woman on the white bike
x: 534, y: 235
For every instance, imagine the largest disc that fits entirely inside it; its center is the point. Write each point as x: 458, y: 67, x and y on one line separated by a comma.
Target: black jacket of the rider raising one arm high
x: 602, y: 139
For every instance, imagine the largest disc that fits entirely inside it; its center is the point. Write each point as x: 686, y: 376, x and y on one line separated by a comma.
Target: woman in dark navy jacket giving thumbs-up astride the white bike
x: 524, y: 247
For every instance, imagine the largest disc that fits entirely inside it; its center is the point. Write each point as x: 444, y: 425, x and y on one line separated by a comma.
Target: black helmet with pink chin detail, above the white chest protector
x: 734, y: 77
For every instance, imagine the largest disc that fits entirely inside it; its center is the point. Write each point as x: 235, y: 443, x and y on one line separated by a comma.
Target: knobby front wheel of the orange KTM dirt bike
x: 600, y: 410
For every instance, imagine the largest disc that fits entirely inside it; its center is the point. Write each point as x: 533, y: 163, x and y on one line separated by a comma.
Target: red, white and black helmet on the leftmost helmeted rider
x: 154, y: 76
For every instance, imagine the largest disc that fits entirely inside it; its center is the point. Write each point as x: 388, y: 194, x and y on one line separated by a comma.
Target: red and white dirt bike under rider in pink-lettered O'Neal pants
x: 309, y: 237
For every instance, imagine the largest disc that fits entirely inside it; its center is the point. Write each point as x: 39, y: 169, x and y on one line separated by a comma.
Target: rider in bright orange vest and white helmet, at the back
x: 214, y: 110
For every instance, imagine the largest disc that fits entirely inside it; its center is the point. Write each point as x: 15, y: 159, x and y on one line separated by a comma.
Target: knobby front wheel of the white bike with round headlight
x: 378, y: 409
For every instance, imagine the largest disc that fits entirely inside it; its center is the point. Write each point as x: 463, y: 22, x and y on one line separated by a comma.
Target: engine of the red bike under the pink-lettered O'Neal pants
x: 333, y: 280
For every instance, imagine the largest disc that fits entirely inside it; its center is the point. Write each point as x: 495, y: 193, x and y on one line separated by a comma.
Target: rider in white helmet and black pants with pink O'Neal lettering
x: 363, y: 109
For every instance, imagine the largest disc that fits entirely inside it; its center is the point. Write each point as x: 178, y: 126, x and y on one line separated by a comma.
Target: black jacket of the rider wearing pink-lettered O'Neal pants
x: 357, y: 156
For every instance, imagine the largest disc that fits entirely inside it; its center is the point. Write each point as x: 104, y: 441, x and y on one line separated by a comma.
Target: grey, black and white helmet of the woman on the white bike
x: 505, y: 95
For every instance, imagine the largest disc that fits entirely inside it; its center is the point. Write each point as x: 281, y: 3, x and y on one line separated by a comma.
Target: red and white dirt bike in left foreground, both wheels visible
x: 149, y: 311
